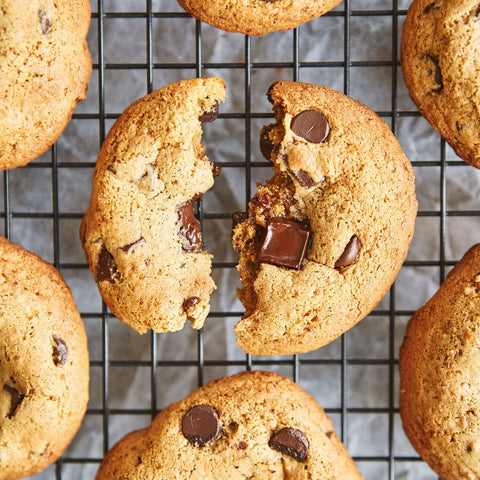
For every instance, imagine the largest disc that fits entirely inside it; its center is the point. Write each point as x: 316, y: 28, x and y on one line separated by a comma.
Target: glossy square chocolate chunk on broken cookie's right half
x: 285, y: 243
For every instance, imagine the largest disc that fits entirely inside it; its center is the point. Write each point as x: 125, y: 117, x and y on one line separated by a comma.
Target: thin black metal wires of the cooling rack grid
x: 297, y: 364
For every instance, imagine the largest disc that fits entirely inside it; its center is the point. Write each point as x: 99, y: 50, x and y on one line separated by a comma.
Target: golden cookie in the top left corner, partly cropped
x: 44, y: 73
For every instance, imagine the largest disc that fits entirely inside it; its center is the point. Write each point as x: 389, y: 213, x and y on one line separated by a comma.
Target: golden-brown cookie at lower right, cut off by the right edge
x: 439, y: 381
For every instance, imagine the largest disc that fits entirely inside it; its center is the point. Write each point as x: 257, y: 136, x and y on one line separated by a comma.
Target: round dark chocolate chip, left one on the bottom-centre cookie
x: 200, y: 425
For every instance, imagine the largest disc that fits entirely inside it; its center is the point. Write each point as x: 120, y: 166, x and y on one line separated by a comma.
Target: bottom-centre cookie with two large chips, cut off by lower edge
x: 256, y: 425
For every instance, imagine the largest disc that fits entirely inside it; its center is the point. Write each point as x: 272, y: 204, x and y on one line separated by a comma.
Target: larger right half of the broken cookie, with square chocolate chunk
x: 325, y: 237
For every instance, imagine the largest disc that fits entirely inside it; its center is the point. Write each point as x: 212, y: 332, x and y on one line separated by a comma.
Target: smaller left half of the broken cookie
x: 140, y: 234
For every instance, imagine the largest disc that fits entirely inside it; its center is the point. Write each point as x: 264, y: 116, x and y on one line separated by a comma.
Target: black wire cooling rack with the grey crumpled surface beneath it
x: 132, y: 376
